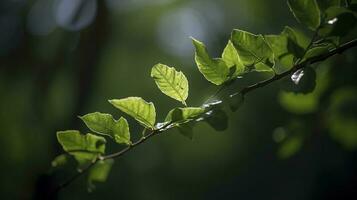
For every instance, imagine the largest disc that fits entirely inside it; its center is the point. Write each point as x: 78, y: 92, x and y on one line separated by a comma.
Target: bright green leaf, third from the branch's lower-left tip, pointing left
x: 137, y: 108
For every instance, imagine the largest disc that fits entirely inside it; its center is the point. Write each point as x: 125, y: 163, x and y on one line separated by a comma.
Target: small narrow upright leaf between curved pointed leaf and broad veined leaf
x: 231, y: 58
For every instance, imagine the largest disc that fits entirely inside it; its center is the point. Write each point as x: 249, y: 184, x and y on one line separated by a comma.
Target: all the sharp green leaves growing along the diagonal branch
x: 244, y: 53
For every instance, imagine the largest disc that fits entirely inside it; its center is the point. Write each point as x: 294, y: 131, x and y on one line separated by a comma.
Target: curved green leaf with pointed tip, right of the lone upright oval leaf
x: 214, y: 70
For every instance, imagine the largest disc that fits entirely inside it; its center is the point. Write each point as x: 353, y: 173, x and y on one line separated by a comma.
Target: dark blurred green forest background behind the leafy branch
x: 64, y: 58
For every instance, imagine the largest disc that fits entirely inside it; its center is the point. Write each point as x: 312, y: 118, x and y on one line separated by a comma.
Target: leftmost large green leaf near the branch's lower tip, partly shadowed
x: 84, y: 148
